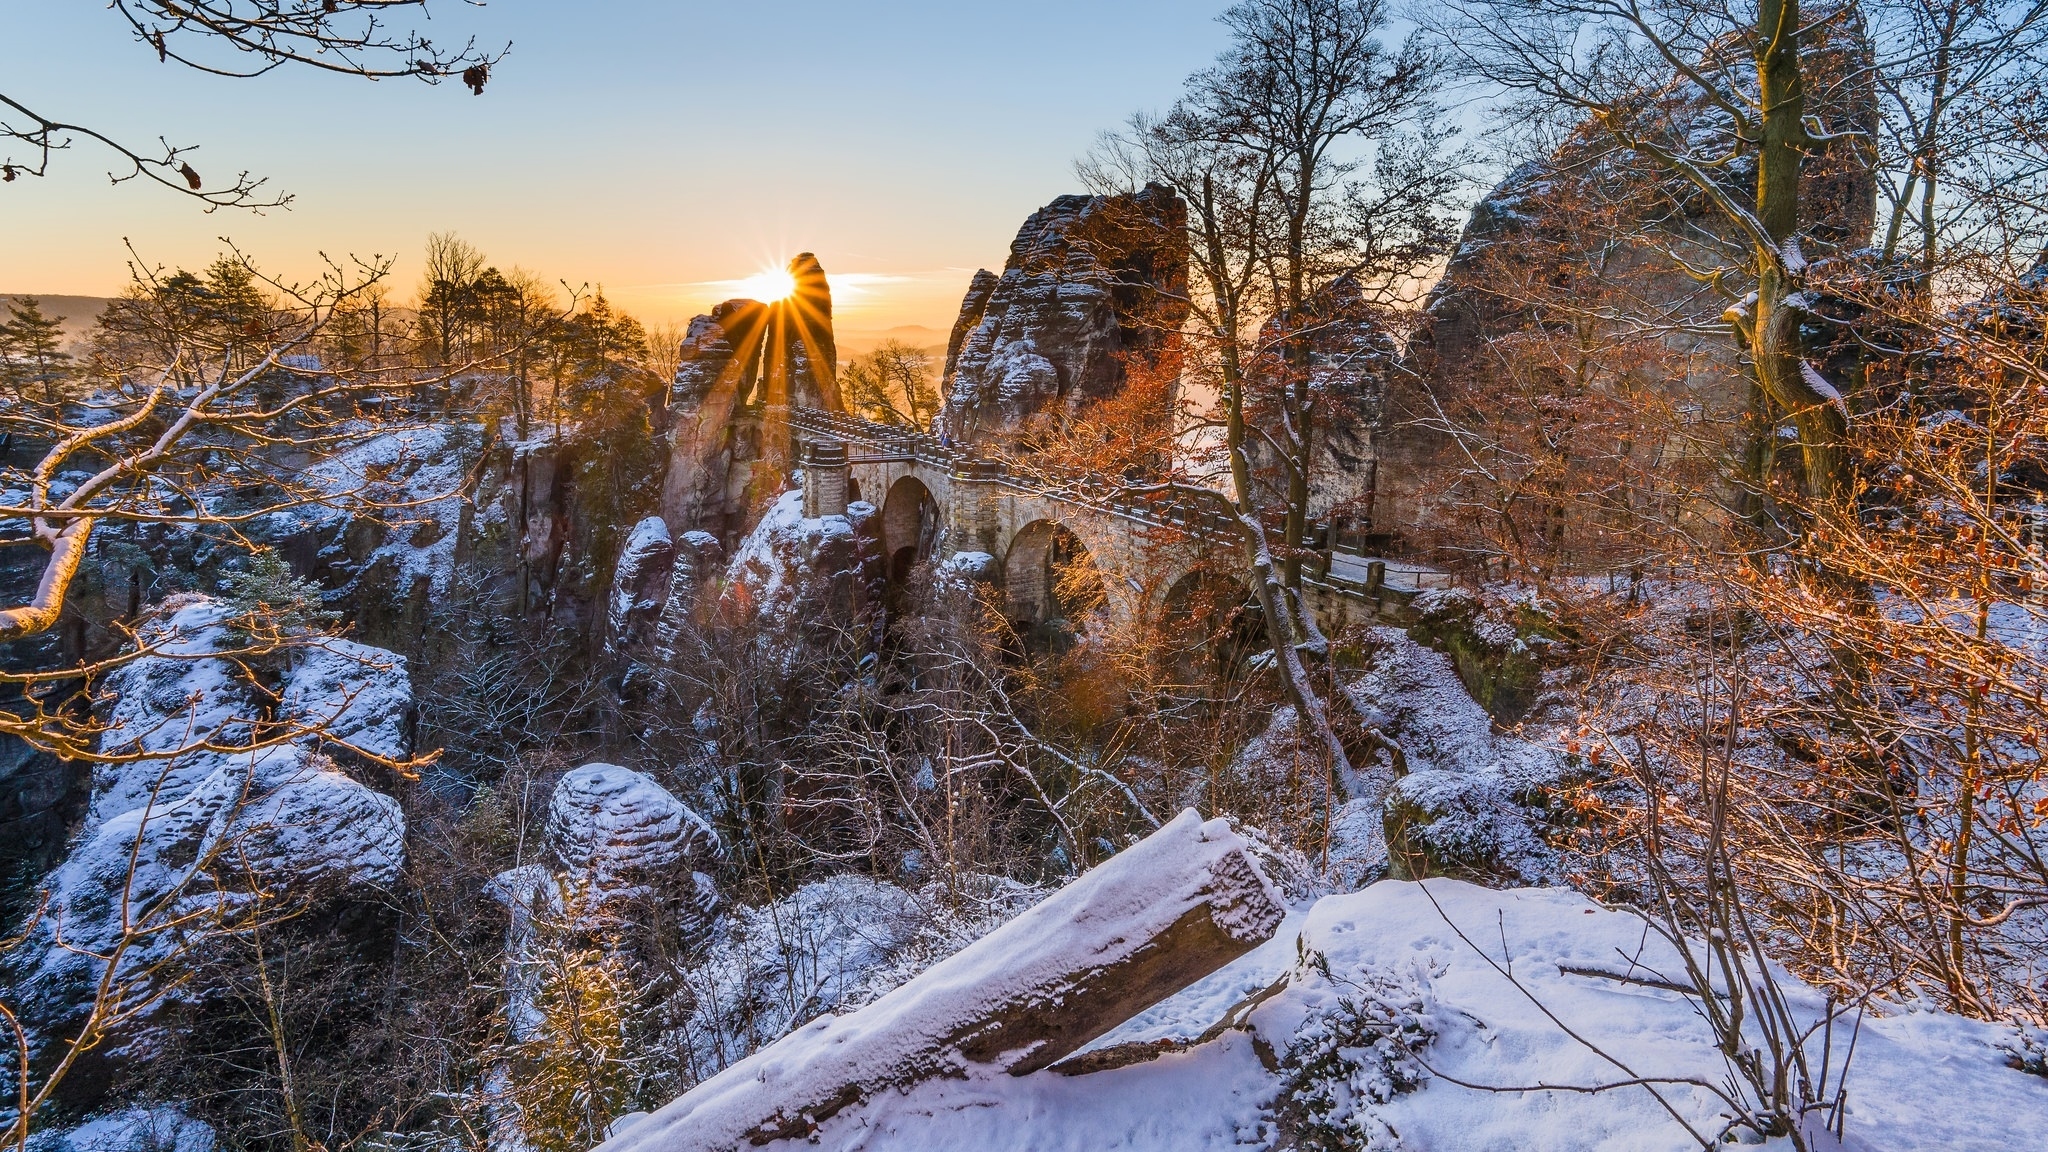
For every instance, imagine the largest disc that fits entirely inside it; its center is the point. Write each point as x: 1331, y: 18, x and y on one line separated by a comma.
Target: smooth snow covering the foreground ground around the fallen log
x: 1920, y: 1079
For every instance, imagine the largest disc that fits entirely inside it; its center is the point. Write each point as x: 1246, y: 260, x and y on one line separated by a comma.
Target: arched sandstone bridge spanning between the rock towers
x: 943, y: 501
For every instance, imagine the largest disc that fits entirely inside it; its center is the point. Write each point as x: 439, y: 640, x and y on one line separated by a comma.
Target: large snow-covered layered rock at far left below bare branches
x: 216, y: 839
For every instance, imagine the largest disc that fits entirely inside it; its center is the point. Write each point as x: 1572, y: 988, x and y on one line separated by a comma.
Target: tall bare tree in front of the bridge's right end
x: 1281, y: 204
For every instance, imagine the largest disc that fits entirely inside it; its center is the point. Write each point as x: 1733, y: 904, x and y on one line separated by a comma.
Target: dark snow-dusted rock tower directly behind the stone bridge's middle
x: 1093, y: 286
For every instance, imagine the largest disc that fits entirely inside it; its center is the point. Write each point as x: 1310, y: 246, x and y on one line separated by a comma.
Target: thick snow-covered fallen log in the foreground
x: 1140, y: 928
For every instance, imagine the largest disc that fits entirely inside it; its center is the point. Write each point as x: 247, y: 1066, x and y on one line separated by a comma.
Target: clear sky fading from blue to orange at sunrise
x: 663, y: 149
